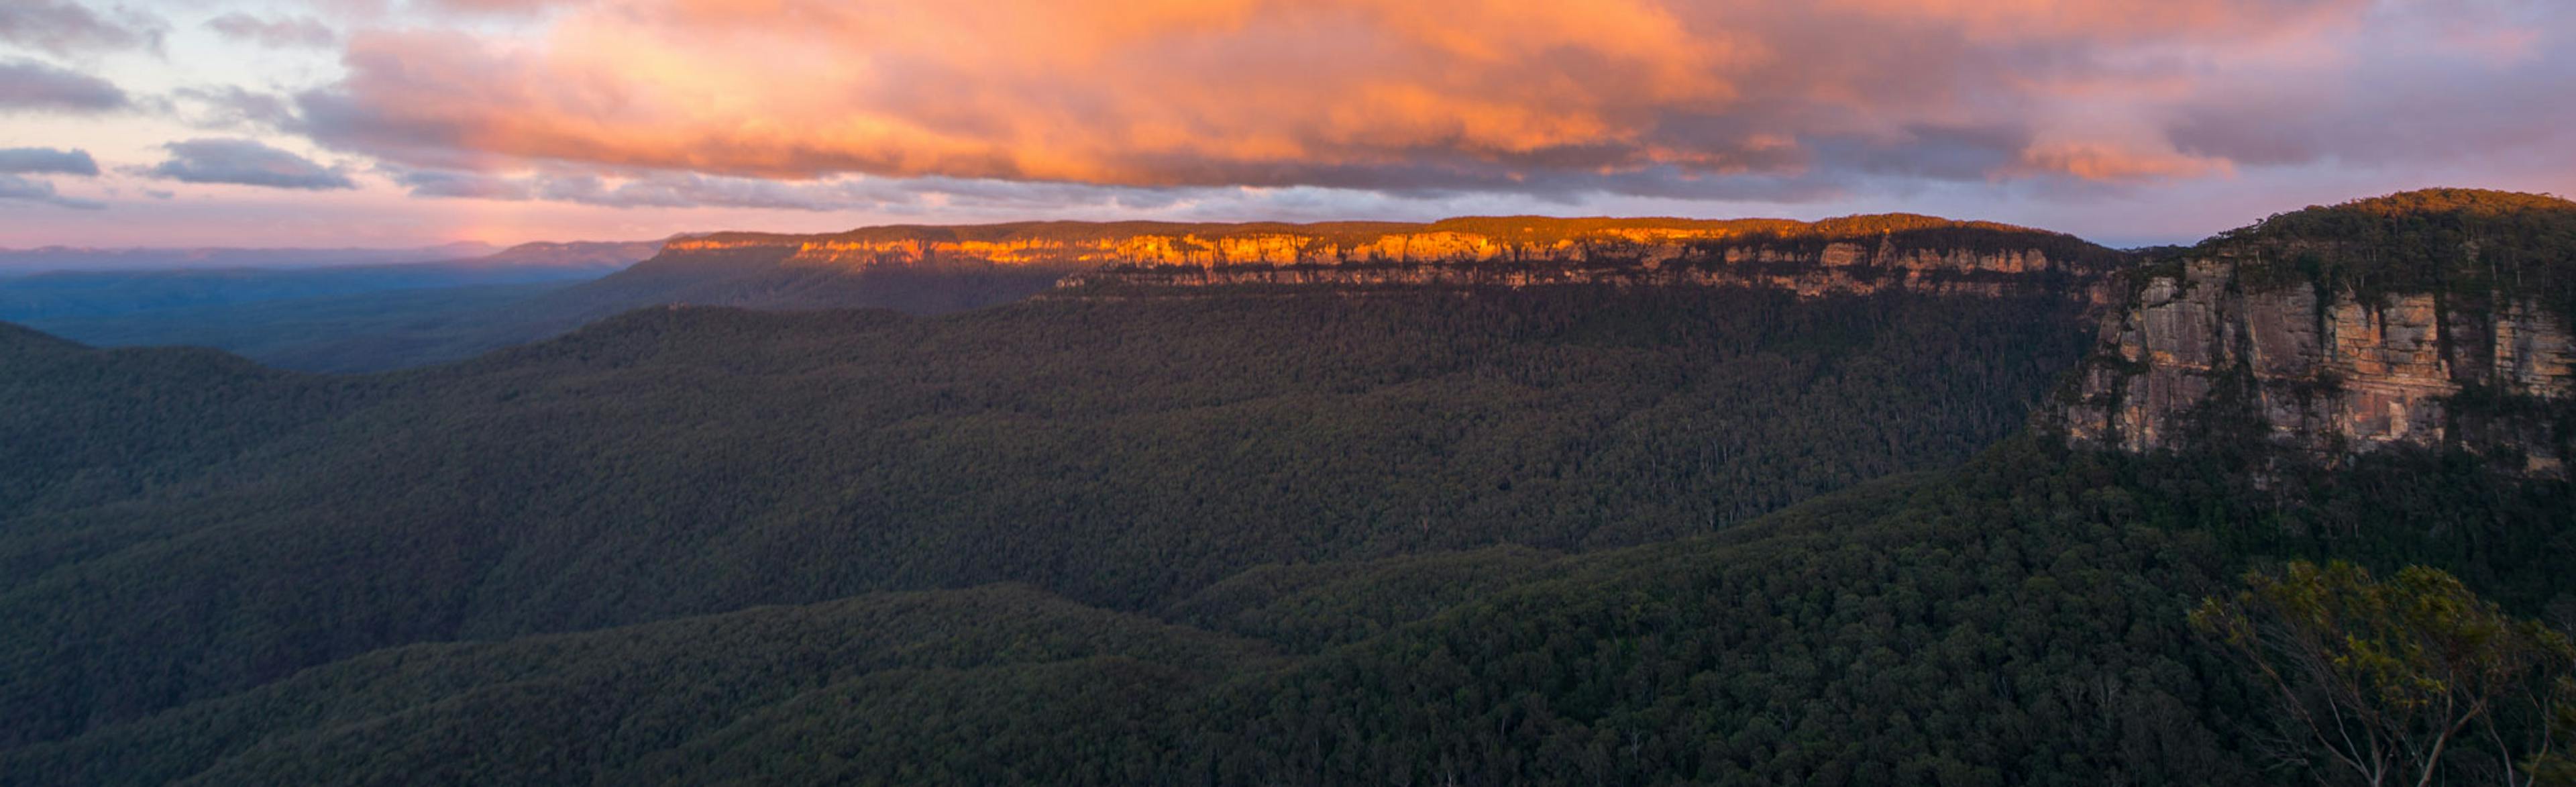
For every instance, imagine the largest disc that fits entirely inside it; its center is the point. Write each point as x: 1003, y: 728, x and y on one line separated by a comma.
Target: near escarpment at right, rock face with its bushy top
x: 2448, y: 332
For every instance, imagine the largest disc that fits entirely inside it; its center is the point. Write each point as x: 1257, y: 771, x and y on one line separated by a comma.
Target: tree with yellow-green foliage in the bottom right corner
x: 2394, y: 680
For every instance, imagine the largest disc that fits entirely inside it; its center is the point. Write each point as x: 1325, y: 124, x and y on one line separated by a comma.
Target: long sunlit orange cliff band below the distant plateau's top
x: 1856, y: 257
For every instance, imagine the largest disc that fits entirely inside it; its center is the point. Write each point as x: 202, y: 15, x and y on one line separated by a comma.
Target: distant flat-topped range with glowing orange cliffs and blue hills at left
x: 949, y: 270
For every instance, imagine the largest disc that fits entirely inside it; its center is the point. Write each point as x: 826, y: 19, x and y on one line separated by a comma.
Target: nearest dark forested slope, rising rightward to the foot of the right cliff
x: 2021, y: 621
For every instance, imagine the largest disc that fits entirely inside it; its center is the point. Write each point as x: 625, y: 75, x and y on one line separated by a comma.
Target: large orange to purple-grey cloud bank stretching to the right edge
x: 1423, y: 99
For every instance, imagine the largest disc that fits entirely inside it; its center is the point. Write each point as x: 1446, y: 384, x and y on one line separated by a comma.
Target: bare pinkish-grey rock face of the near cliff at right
x: 2327, y: 373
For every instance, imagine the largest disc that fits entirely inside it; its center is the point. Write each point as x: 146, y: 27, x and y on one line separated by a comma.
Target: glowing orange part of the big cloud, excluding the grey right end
x: 1374, y: 94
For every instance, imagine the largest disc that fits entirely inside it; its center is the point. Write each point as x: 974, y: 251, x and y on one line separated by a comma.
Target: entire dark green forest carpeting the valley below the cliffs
x: 1596, y: 535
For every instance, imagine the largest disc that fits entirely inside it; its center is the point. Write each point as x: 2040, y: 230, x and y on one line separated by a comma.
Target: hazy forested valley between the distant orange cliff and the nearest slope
x: 1114, y: 453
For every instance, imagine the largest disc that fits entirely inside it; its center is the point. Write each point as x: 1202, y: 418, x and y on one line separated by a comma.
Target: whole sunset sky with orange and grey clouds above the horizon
x: 416, y: 123
